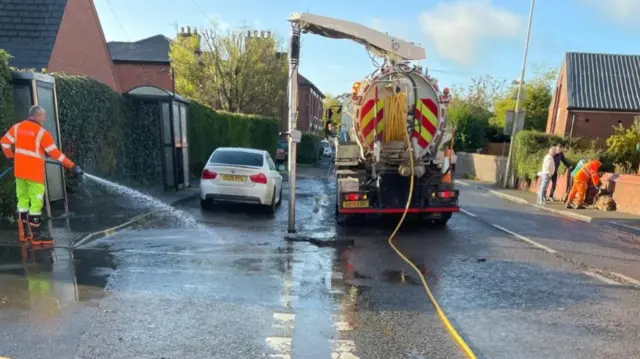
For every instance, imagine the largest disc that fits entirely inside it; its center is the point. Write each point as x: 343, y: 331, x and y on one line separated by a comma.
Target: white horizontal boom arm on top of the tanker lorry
x: 383, y: 44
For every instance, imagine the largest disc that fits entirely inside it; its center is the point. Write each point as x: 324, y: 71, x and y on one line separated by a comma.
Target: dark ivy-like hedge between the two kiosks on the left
x: 92, y: 125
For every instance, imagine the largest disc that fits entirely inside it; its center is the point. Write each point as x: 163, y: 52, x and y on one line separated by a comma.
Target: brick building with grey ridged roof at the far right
x: 594, y: 92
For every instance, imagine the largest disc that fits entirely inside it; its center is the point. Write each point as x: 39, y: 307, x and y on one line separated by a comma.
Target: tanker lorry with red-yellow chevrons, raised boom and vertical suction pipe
x: 393, y: 149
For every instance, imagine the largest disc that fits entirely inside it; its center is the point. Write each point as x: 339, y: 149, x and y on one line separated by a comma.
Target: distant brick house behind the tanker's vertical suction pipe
x: 309, y: 107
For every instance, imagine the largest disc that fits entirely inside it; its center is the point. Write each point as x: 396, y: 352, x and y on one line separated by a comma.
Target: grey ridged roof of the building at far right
x: 605, y: 82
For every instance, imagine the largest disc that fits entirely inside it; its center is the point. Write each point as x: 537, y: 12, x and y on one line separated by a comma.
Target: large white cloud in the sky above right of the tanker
x: 459, y: 30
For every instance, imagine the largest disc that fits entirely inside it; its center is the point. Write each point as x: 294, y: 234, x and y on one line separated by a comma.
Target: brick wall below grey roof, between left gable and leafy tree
x: 132, y: 75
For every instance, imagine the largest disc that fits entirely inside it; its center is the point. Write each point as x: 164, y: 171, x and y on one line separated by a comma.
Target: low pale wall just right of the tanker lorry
x: 485, y: 168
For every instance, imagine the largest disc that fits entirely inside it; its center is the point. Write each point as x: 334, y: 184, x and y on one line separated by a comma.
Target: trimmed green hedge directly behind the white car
x: 209, y: 129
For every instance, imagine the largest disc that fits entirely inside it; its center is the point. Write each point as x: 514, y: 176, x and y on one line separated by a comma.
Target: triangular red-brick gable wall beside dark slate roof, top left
x: 80, y: 46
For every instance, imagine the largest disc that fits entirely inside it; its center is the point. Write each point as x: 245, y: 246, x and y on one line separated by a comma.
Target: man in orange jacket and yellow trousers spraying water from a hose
x: 32, y: 142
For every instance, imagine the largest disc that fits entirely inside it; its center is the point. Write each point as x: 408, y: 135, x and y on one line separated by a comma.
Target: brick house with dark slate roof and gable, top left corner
x: 56, y: 35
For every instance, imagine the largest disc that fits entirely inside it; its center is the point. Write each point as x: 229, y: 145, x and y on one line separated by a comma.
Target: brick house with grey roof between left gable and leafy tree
x: 144, y: 62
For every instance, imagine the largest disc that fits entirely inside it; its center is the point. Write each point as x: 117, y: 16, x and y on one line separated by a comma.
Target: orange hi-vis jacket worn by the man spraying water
x: 31, y: 142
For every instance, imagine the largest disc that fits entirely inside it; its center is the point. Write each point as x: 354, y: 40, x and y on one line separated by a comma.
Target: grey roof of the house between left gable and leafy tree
x: 152, y: 49
